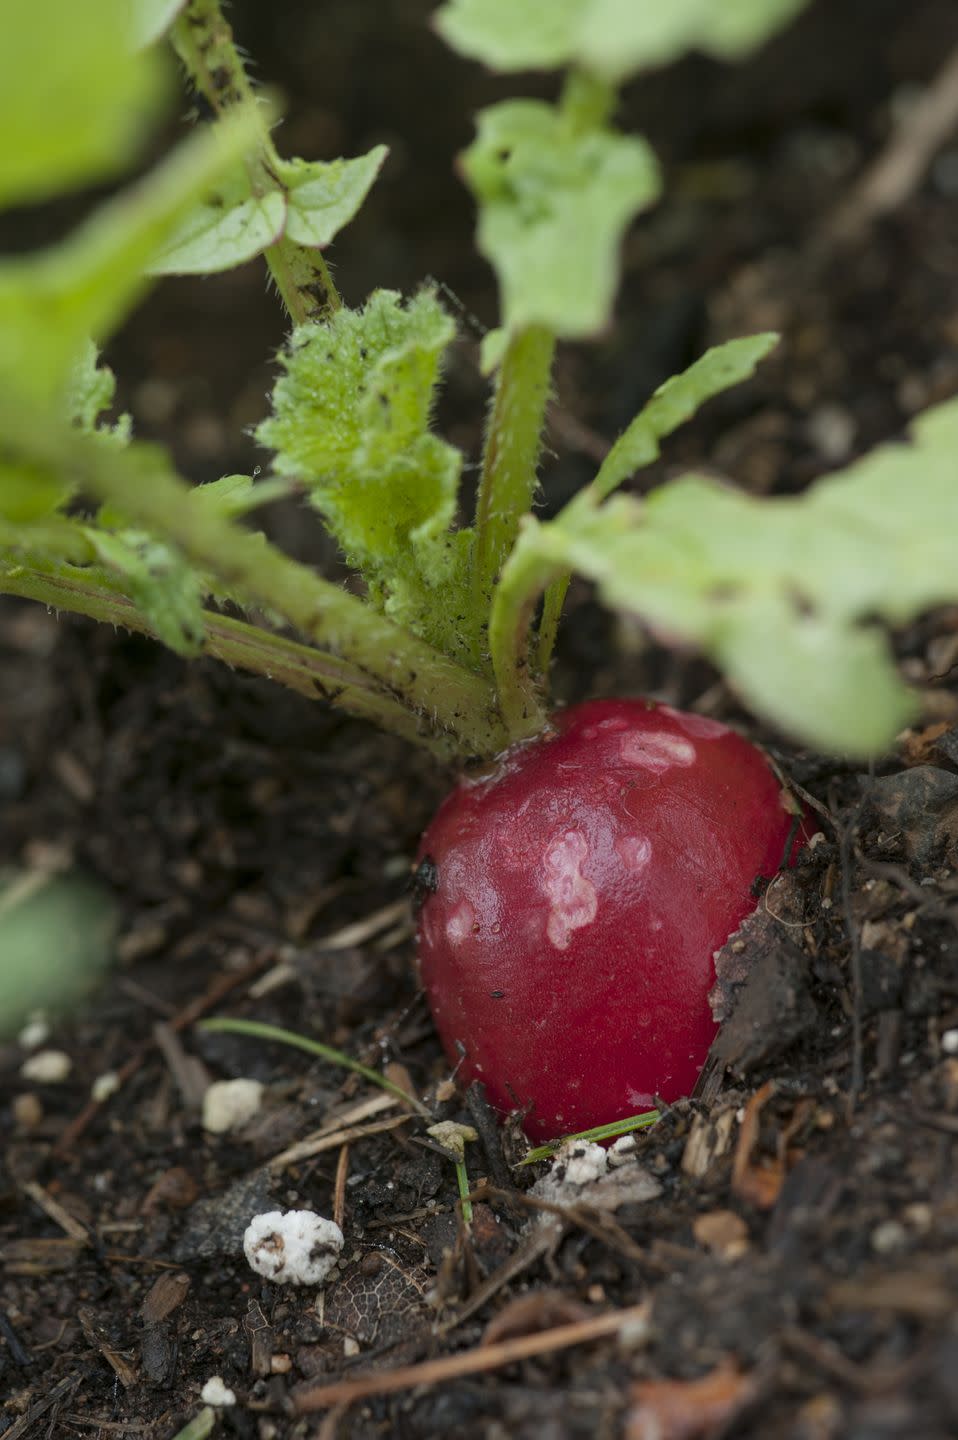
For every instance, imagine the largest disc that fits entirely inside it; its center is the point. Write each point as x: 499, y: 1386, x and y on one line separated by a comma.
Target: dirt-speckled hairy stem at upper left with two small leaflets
x: 205, y: 44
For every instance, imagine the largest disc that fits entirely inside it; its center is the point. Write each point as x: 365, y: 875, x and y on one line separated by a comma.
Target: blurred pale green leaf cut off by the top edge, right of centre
x: 612, y: 38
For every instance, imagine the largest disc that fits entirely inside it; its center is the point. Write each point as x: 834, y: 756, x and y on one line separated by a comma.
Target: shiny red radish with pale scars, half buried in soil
x: 574, y: 902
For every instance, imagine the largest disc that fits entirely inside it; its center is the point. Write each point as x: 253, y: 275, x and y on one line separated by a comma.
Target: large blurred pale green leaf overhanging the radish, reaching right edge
x: 784, y: 594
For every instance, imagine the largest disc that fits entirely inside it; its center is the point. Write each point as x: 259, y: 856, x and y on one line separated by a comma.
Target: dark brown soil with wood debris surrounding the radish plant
x: 792, y: 1235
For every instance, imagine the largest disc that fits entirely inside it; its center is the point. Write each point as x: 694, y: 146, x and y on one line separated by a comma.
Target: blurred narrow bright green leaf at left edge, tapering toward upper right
x: 54, y: 302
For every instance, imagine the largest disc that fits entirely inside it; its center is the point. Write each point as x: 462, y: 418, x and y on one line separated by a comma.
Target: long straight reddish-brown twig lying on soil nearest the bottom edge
x: 470, y: 1363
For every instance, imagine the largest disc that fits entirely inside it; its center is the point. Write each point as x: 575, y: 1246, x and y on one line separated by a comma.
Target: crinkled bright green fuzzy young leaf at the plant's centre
x: 352, y: 424
